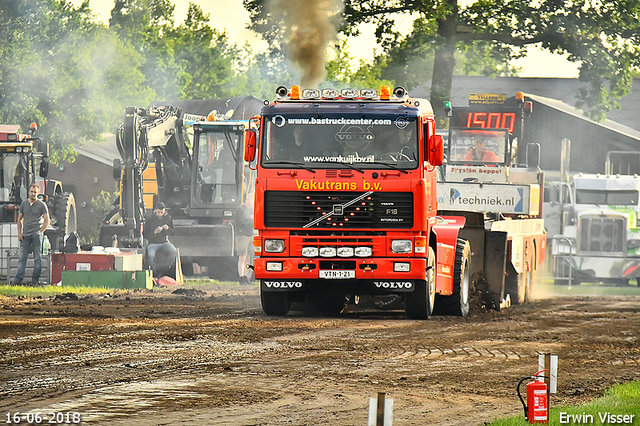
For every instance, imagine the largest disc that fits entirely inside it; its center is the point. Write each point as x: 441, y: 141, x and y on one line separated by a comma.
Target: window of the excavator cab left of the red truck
x: 217, y: 160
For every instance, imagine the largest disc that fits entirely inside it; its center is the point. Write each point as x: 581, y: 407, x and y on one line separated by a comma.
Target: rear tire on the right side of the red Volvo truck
x: 458, y: 302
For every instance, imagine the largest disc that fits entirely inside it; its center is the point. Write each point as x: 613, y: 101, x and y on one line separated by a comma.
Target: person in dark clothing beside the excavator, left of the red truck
x: 157, y: 229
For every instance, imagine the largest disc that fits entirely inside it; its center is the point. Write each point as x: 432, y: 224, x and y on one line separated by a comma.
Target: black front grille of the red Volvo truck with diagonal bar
x: 379, y: 210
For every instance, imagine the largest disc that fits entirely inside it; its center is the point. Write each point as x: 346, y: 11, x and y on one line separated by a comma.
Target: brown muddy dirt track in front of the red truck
x: 209, y: 356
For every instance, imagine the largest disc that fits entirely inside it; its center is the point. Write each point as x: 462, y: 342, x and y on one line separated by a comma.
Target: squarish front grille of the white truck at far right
x: 602, y: 234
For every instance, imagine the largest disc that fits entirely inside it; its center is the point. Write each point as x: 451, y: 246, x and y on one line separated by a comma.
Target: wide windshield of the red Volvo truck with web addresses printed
x: 340, y: 142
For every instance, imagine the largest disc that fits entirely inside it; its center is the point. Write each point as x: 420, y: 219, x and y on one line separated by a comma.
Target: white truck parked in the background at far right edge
x: 594, y: 224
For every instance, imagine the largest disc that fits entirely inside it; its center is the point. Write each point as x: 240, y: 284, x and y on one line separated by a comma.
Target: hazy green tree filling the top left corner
x: 63, y: 71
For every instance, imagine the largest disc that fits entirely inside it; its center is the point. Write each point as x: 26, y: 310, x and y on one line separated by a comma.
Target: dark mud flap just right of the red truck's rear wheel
x: 495, y: 263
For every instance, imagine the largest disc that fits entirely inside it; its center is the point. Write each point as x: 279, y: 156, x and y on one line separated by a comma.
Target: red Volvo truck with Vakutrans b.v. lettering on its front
x: 345, y: 203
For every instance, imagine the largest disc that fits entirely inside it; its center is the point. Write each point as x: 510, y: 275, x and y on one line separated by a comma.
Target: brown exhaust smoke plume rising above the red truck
x: 310, y: 27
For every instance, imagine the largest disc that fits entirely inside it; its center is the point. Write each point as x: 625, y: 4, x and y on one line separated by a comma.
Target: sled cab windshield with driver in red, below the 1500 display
x: 477, y: 147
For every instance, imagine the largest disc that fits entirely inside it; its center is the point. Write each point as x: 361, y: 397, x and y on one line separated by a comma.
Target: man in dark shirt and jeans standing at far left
x: 35, y: 215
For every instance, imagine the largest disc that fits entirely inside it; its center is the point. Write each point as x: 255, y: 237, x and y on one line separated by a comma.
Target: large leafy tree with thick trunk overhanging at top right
x: 599, y: 36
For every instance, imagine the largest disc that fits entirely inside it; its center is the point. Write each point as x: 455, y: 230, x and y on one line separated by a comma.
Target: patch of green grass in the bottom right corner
x: 619, y: 400
